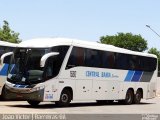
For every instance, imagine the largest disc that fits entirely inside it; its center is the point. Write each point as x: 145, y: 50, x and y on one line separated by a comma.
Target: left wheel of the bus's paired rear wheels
x: 129, y: 97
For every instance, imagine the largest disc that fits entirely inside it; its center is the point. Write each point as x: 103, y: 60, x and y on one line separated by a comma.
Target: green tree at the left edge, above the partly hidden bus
x: 6, y: 34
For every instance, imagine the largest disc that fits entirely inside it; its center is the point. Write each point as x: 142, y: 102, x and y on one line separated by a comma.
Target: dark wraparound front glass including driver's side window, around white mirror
x: 25, y: 67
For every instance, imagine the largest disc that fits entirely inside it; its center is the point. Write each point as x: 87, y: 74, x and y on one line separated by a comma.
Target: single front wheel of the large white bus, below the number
x: 65, y: 99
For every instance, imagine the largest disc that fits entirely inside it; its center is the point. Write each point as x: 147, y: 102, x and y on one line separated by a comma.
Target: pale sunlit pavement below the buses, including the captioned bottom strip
x: 147, y: 110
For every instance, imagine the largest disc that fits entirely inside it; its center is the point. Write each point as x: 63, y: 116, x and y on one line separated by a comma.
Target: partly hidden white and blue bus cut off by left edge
x: 4, y: 48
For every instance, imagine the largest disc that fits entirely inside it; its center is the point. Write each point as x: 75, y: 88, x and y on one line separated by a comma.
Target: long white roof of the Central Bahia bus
x: 50, y: 42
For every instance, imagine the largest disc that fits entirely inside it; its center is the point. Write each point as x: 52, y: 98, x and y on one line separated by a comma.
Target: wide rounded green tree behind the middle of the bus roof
x: 126, y: 40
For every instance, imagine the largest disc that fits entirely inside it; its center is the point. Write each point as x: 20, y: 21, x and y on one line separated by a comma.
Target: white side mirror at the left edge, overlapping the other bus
x: 5, y: 58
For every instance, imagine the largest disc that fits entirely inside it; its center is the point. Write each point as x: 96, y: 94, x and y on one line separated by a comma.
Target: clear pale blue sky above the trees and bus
x: 82, y: 19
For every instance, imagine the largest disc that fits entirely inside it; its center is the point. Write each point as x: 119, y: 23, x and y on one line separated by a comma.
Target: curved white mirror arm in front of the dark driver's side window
x: 46, y: 56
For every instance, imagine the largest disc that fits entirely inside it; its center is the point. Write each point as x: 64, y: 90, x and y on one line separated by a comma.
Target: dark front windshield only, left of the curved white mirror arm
x: 25, y: 65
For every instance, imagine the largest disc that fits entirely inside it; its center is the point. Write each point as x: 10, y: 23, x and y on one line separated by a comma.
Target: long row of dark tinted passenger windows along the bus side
x: 105, y: 59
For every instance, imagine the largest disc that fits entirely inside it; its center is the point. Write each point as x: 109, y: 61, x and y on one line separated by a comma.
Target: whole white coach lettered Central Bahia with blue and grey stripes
x: 62, y: 70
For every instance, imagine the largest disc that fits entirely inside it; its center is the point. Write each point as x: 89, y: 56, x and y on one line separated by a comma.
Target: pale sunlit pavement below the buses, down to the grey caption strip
x: 151, y: 106
